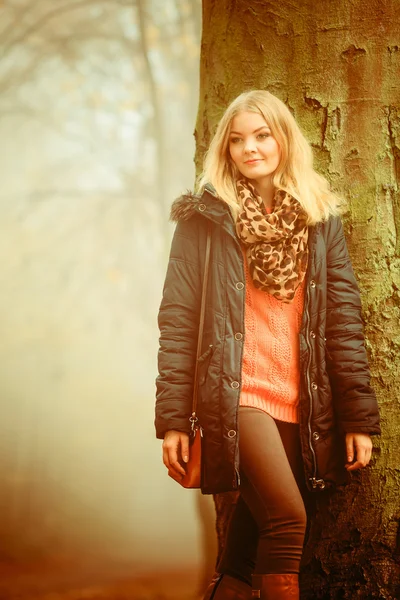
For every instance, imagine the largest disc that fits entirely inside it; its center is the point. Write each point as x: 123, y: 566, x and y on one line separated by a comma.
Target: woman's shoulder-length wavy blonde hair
x: 295, y: 173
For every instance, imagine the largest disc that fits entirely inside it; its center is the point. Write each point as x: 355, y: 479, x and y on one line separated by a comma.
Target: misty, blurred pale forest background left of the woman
x: 97, y: 111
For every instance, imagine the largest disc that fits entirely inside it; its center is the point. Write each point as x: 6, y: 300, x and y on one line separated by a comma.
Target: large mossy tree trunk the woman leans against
x: 337, y: 66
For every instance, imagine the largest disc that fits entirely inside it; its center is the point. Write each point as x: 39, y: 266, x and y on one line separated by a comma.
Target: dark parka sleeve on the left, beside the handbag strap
x: 178, y: 323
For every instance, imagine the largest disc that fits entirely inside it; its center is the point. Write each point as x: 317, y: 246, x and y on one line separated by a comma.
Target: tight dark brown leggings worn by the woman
x: 266, y: 531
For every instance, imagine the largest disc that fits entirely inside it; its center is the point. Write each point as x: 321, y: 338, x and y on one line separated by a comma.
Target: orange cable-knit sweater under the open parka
x: 271, y: 361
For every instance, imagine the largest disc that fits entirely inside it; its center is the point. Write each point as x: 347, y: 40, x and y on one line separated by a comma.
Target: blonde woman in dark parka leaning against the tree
x: 284, y: 387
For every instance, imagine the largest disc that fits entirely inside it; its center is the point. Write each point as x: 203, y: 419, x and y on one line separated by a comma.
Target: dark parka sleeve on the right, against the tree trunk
x: 347, y: 363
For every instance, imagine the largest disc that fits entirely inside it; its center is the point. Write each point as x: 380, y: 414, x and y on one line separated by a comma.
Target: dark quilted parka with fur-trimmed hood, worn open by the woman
x: 335, y: 392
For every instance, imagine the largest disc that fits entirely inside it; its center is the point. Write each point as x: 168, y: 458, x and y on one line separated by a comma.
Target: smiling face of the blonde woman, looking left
x: 252, y: 147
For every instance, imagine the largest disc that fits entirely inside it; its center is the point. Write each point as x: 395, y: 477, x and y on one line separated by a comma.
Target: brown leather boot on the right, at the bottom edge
x: 276, y: 586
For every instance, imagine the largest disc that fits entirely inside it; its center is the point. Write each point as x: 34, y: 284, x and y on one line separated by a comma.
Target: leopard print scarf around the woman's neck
x: 276, y: 243
